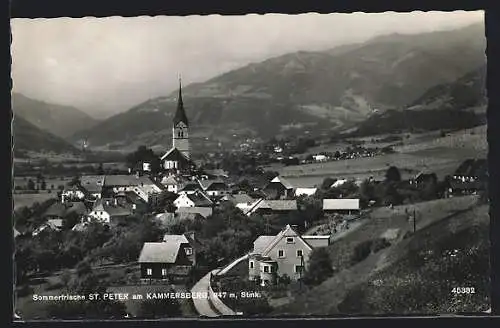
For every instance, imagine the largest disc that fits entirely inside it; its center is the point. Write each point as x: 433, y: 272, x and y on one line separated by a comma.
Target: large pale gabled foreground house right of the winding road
x: 286, y: 253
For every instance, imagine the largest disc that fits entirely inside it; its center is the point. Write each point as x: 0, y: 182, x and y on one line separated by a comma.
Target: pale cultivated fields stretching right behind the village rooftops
x: 426, y: 152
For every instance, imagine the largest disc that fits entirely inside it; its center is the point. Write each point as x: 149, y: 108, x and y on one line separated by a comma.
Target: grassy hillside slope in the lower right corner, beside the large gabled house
x: 415, y: 274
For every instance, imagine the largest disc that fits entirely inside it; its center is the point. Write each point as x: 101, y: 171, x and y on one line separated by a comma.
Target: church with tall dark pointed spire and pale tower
x: 177, y: 159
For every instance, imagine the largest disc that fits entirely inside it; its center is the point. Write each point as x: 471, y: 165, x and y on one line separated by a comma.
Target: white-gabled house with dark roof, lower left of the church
x: 110, y: 211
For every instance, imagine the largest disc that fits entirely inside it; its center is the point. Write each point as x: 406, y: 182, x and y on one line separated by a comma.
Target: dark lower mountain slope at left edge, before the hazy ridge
x: 28, y: 137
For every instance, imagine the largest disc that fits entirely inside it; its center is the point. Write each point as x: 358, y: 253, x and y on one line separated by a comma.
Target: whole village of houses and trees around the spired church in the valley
x: 171, y: 223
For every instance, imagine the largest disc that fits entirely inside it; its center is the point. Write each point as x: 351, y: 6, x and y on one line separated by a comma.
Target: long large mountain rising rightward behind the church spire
x: 305, y: 91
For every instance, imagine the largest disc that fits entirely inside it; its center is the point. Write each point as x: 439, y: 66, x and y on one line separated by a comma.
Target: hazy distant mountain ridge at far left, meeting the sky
x: 62, y: 121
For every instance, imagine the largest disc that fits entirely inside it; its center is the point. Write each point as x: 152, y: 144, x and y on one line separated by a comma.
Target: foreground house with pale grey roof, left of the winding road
x: 173, y: 257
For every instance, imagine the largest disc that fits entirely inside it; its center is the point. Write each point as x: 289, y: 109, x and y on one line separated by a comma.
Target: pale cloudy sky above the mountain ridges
x: 108, y: 65
